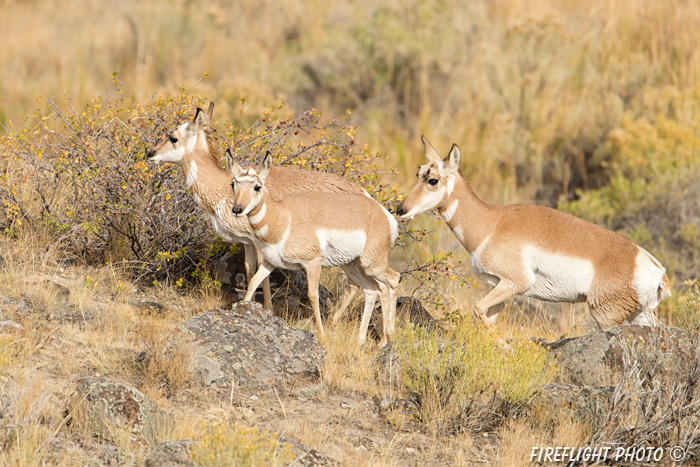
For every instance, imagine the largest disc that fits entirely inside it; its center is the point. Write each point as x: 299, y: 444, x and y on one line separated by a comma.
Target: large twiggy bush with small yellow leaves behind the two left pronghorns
x: 81, y: 177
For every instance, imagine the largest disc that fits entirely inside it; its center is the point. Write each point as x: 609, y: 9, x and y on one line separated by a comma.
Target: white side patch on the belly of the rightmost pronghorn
x: 557, y: 277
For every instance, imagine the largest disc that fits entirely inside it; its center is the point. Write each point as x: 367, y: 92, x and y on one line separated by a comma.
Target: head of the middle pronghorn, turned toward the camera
x: 248, y: 184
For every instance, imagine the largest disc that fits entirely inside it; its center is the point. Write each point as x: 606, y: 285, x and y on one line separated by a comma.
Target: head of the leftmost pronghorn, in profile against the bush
x: 183, y: 139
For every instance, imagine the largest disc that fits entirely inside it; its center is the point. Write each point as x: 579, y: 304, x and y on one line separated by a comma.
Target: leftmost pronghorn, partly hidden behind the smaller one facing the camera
x: 189, y: 146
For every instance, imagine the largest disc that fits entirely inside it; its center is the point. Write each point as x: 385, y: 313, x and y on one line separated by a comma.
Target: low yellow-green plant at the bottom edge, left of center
x: 240, y: 447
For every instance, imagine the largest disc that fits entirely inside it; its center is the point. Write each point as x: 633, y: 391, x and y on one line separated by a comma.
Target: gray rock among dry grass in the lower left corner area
x: 103, y: 405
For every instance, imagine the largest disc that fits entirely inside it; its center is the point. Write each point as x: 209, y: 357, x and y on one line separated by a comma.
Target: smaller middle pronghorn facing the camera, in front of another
x: 321, y: 230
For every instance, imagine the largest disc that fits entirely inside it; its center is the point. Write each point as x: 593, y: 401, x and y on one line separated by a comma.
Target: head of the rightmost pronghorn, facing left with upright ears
x: 436, y: 181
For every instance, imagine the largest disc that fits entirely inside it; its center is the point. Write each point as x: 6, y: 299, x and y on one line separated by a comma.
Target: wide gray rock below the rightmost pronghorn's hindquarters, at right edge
x: 596, y: 359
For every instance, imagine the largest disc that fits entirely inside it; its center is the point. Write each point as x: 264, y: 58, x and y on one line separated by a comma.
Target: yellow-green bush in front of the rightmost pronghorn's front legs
x: 464, y: 380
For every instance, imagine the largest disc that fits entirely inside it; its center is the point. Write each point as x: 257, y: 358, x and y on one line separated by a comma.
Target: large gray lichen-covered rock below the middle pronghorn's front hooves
x: 249, y: 346
